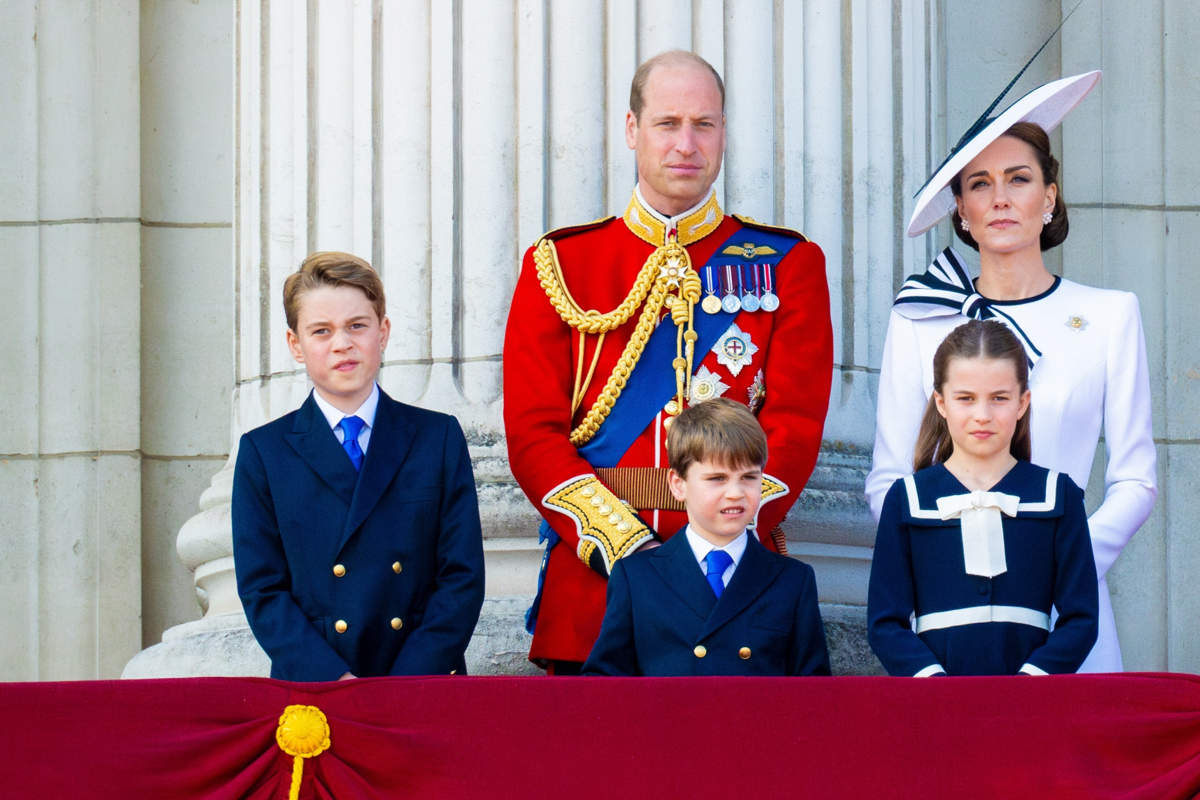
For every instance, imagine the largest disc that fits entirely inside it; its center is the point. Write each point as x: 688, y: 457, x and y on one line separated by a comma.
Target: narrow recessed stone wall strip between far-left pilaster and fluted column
x: 187, y: 300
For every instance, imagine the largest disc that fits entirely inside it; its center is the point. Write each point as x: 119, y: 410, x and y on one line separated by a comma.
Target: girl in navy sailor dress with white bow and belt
x: 976, y: 548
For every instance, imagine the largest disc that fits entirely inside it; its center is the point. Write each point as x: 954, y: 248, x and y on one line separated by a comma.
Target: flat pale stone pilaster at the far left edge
x: 71, y: 466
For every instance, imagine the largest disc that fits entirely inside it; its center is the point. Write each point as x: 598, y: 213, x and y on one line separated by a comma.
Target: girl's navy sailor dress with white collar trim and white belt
x: 974, y: 625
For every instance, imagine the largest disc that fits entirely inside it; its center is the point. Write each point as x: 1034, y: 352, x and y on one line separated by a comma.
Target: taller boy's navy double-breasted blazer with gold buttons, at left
x: 379, y: 573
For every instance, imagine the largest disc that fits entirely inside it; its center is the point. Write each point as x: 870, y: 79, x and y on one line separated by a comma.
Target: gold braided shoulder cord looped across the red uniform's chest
x: 668, y: 268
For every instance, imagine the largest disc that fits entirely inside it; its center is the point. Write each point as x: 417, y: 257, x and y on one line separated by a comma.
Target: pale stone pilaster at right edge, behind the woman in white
x: 1131, y: 182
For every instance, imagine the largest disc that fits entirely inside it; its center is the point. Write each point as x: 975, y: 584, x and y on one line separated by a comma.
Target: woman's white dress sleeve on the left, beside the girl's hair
x: 898, y: 411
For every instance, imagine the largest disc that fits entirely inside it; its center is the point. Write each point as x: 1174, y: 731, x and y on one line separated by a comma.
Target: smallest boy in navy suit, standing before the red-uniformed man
x: 712, y: 600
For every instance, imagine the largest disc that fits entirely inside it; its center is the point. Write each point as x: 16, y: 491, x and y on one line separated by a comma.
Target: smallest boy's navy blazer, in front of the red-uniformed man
x: 663, y: 619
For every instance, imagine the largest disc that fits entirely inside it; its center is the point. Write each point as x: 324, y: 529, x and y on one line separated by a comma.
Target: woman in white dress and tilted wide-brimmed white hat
x: 1085, y: 345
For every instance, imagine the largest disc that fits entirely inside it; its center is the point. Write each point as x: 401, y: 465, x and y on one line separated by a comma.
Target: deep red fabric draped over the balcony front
x: 1135, y: 736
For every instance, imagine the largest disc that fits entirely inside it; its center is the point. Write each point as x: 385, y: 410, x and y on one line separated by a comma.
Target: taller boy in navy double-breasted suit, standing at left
x: 356, y: 528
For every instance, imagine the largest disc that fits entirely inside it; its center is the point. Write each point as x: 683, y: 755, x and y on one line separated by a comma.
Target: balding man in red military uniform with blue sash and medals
x: 617, y: 324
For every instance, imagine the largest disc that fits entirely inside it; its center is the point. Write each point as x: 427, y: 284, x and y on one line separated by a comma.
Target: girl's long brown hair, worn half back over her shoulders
x: 975, y: 340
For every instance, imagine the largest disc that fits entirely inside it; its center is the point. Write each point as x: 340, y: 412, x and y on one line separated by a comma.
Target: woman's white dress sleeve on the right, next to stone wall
x: 1131, y: 479
